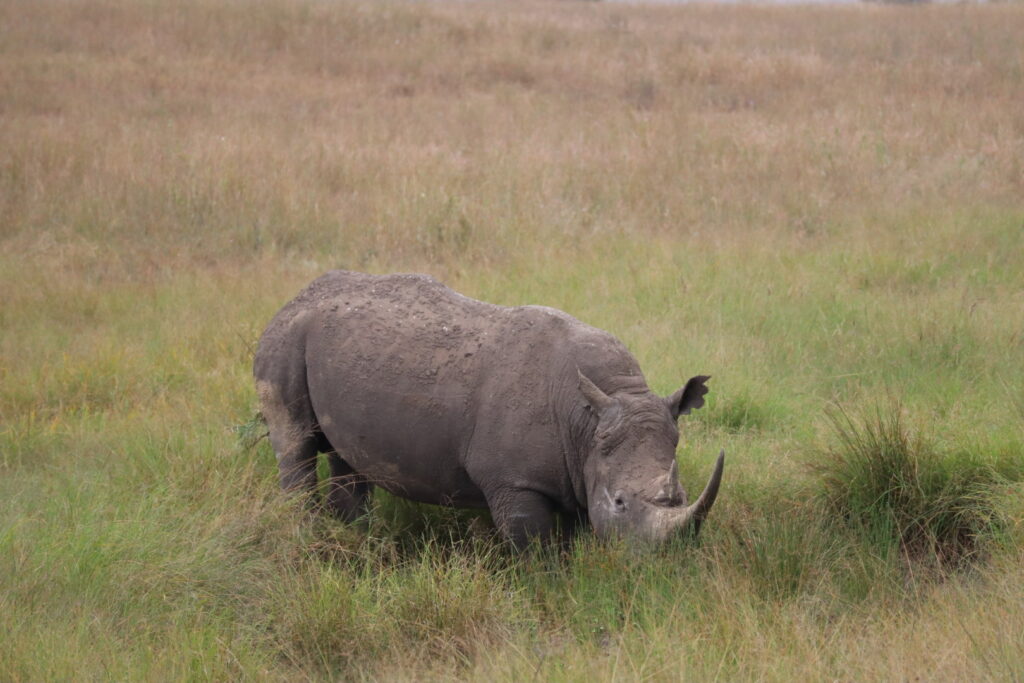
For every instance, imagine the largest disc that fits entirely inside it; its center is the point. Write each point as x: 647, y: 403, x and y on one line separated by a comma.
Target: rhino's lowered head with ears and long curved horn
x: 631, y: 474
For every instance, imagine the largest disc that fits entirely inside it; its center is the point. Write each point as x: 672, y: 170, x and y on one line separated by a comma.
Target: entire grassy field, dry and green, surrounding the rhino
x: 821, y: 207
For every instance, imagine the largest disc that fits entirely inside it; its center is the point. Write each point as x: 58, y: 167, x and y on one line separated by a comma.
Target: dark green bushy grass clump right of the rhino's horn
x: 902, y: 488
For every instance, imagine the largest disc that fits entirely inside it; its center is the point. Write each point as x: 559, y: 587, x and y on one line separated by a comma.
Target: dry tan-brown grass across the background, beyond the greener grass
x: 223, y: 129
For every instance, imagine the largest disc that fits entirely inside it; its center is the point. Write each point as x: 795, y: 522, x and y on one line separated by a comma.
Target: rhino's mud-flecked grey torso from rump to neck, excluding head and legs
x: 433, y: 395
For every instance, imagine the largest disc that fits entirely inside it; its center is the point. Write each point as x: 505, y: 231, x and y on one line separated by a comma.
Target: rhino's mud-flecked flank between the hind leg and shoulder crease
x: 393, y: 375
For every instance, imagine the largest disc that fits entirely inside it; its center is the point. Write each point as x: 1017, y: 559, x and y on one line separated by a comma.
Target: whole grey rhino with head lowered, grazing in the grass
x: 441, y: 399
